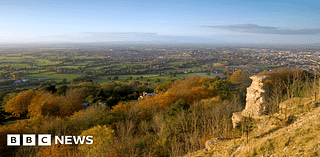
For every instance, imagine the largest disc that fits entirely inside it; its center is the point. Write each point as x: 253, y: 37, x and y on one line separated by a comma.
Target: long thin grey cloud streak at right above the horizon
x: 253, y: 28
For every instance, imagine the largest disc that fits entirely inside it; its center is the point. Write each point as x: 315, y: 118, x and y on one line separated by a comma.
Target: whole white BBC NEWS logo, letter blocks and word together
x: 45, y: 140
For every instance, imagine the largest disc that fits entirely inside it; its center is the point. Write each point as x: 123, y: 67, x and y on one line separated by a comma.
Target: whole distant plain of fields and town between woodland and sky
x: 29, y: 66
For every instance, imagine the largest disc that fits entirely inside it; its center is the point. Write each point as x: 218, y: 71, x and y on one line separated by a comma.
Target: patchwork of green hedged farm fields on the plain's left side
x: 72, y: 65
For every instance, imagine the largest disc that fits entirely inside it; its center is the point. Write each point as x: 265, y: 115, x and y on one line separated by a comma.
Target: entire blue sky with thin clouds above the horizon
x: 180, y: 21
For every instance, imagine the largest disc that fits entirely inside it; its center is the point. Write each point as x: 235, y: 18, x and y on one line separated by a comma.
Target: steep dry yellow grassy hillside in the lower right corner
x: 276, y: 135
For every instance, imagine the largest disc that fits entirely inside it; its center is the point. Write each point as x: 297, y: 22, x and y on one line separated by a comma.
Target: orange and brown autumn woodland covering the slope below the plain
x: 180, y: 119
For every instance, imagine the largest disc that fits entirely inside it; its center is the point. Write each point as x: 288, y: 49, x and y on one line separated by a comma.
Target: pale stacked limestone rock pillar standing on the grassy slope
x: 255, y: 101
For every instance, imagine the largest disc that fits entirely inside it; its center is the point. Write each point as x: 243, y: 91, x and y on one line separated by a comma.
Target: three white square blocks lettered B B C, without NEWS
x: 28, y: 140
